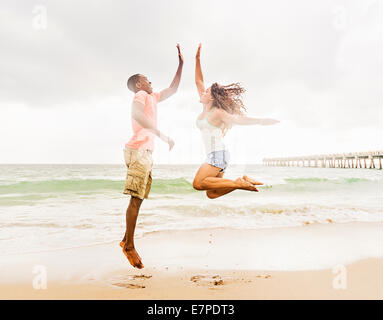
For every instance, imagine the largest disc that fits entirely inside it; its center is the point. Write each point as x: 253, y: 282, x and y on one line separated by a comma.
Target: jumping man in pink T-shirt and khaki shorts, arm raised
x: 138, y: 151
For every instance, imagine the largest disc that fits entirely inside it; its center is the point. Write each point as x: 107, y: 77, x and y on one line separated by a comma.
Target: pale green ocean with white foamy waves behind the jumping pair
x: 50, y: 207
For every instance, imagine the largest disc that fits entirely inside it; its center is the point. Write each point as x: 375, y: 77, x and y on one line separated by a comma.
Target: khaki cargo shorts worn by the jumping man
x: 139, y: 174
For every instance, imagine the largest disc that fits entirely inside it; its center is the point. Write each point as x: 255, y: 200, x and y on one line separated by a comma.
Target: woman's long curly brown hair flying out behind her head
x: 228, y: 98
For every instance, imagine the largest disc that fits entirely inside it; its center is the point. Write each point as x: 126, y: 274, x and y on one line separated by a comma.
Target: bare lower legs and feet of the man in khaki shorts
x: 131, y: 219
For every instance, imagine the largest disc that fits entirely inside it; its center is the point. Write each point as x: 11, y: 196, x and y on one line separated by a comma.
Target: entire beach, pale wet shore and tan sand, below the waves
x: 183, y: 265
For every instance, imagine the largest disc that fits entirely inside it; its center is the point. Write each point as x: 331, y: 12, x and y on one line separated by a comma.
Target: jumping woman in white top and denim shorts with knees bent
x: 222, y: 108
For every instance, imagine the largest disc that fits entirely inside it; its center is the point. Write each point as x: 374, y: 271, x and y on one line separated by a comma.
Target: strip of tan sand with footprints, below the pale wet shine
x: 364, y: 281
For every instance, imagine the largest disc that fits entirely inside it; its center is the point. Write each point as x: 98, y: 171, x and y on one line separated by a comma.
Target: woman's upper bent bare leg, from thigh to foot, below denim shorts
x: 207, y: 179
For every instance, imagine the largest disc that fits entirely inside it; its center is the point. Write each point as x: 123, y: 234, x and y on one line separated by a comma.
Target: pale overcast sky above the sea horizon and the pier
x: 317, y: 66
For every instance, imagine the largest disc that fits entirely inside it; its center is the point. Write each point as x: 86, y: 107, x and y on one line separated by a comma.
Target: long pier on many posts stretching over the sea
x: 365, y: 160
